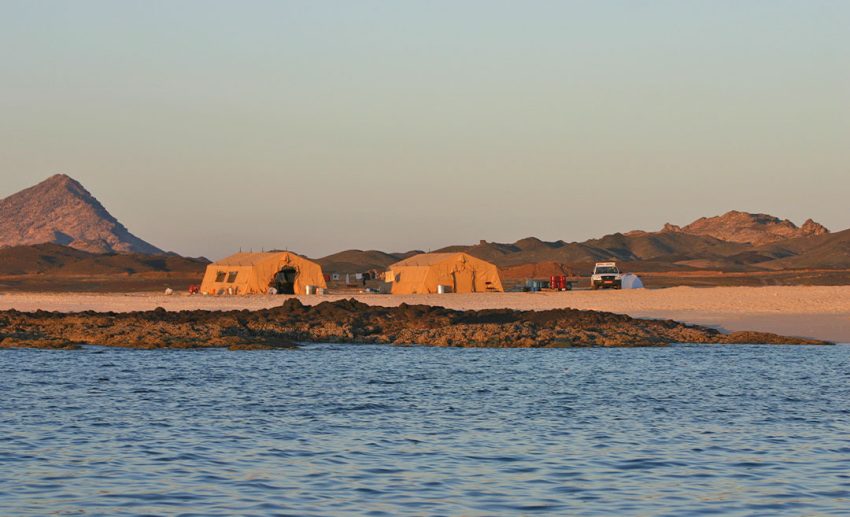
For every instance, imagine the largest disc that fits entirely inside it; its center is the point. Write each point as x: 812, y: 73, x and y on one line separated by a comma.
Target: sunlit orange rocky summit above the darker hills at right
x: 755, y: 229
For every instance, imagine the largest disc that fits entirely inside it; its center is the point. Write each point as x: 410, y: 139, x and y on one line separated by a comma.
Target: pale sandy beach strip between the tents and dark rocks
x: 816, y: 312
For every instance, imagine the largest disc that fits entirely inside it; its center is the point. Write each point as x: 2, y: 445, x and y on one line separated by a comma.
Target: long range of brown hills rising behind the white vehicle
x: 733, y: 242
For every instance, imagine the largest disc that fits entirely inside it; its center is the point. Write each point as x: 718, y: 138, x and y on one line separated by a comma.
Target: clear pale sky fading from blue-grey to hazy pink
x: 318, y: 126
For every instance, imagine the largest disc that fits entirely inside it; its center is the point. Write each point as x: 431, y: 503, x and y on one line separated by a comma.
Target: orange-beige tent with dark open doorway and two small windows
x: 254, y: 273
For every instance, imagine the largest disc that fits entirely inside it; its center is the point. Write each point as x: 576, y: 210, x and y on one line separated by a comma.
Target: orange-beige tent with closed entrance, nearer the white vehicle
x: 460, y: 272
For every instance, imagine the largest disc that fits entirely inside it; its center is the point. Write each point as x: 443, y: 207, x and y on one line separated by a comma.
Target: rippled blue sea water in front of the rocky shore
x: 375, y: 430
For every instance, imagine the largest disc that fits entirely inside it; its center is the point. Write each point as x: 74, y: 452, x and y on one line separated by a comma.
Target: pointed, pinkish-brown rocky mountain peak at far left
x: 61, y: 211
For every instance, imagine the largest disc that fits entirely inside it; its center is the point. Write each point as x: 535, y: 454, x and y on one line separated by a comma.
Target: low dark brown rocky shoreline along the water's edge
x: 349, y: 321
